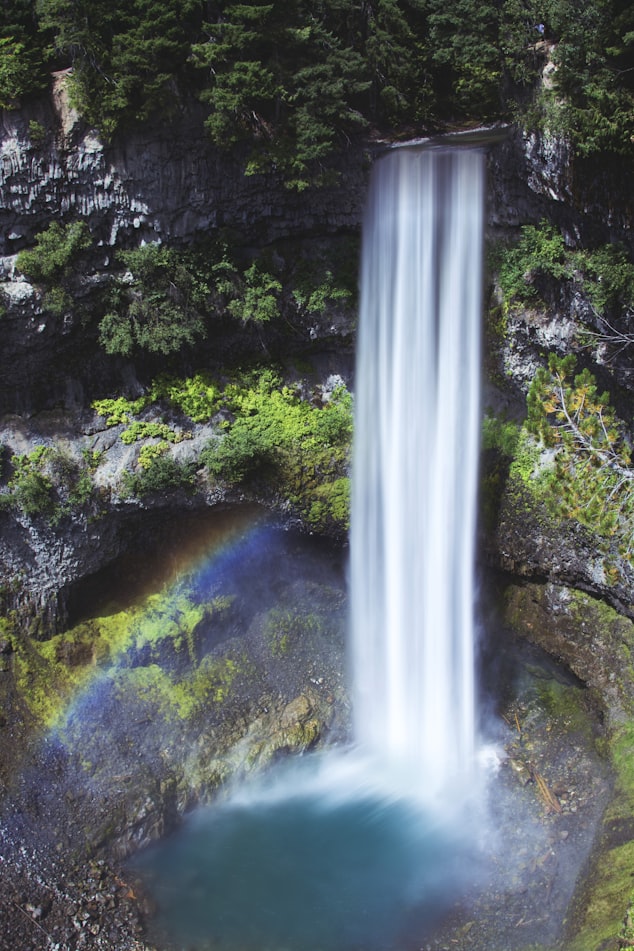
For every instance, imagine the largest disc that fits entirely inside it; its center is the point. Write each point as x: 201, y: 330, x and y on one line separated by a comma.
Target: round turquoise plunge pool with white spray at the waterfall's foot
x: 305, y: 865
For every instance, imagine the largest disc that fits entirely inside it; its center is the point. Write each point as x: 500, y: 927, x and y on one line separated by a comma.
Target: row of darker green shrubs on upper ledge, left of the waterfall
x: 164, y: 300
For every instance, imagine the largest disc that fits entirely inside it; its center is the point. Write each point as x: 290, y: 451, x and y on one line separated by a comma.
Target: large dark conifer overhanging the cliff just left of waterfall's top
x: 279, y: 79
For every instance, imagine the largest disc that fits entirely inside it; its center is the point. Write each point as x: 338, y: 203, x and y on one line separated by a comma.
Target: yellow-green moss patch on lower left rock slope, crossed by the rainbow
x: 162, y: 629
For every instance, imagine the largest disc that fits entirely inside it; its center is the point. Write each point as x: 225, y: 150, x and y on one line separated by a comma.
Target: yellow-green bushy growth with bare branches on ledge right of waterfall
x: 573, y: 455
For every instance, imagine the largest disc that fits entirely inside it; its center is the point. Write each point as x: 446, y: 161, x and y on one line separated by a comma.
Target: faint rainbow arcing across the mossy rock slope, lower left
x: 66, y: 679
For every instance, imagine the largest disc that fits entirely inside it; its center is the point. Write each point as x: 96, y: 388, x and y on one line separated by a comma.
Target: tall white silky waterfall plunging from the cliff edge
x: 415, y: 465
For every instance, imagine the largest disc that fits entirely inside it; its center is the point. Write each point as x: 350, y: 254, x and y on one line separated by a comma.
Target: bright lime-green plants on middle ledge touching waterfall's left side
x: 269, y: 439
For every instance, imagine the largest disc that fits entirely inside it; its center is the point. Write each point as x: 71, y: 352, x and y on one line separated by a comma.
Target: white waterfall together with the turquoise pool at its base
x: 352, y: 850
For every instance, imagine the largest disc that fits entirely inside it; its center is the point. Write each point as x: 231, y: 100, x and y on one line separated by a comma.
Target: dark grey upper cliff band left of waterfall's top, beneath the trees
x: 162, y: 182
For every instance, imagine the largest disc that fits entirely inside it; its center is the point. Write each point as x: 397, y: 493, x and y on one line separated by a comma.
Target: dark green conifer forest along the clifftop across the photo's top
x: 294, y: 79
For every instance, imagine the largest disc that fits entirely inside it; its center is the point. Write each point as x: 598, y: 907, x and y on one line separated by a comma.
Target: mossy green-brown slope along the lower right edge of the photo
x: 600, y: 908
